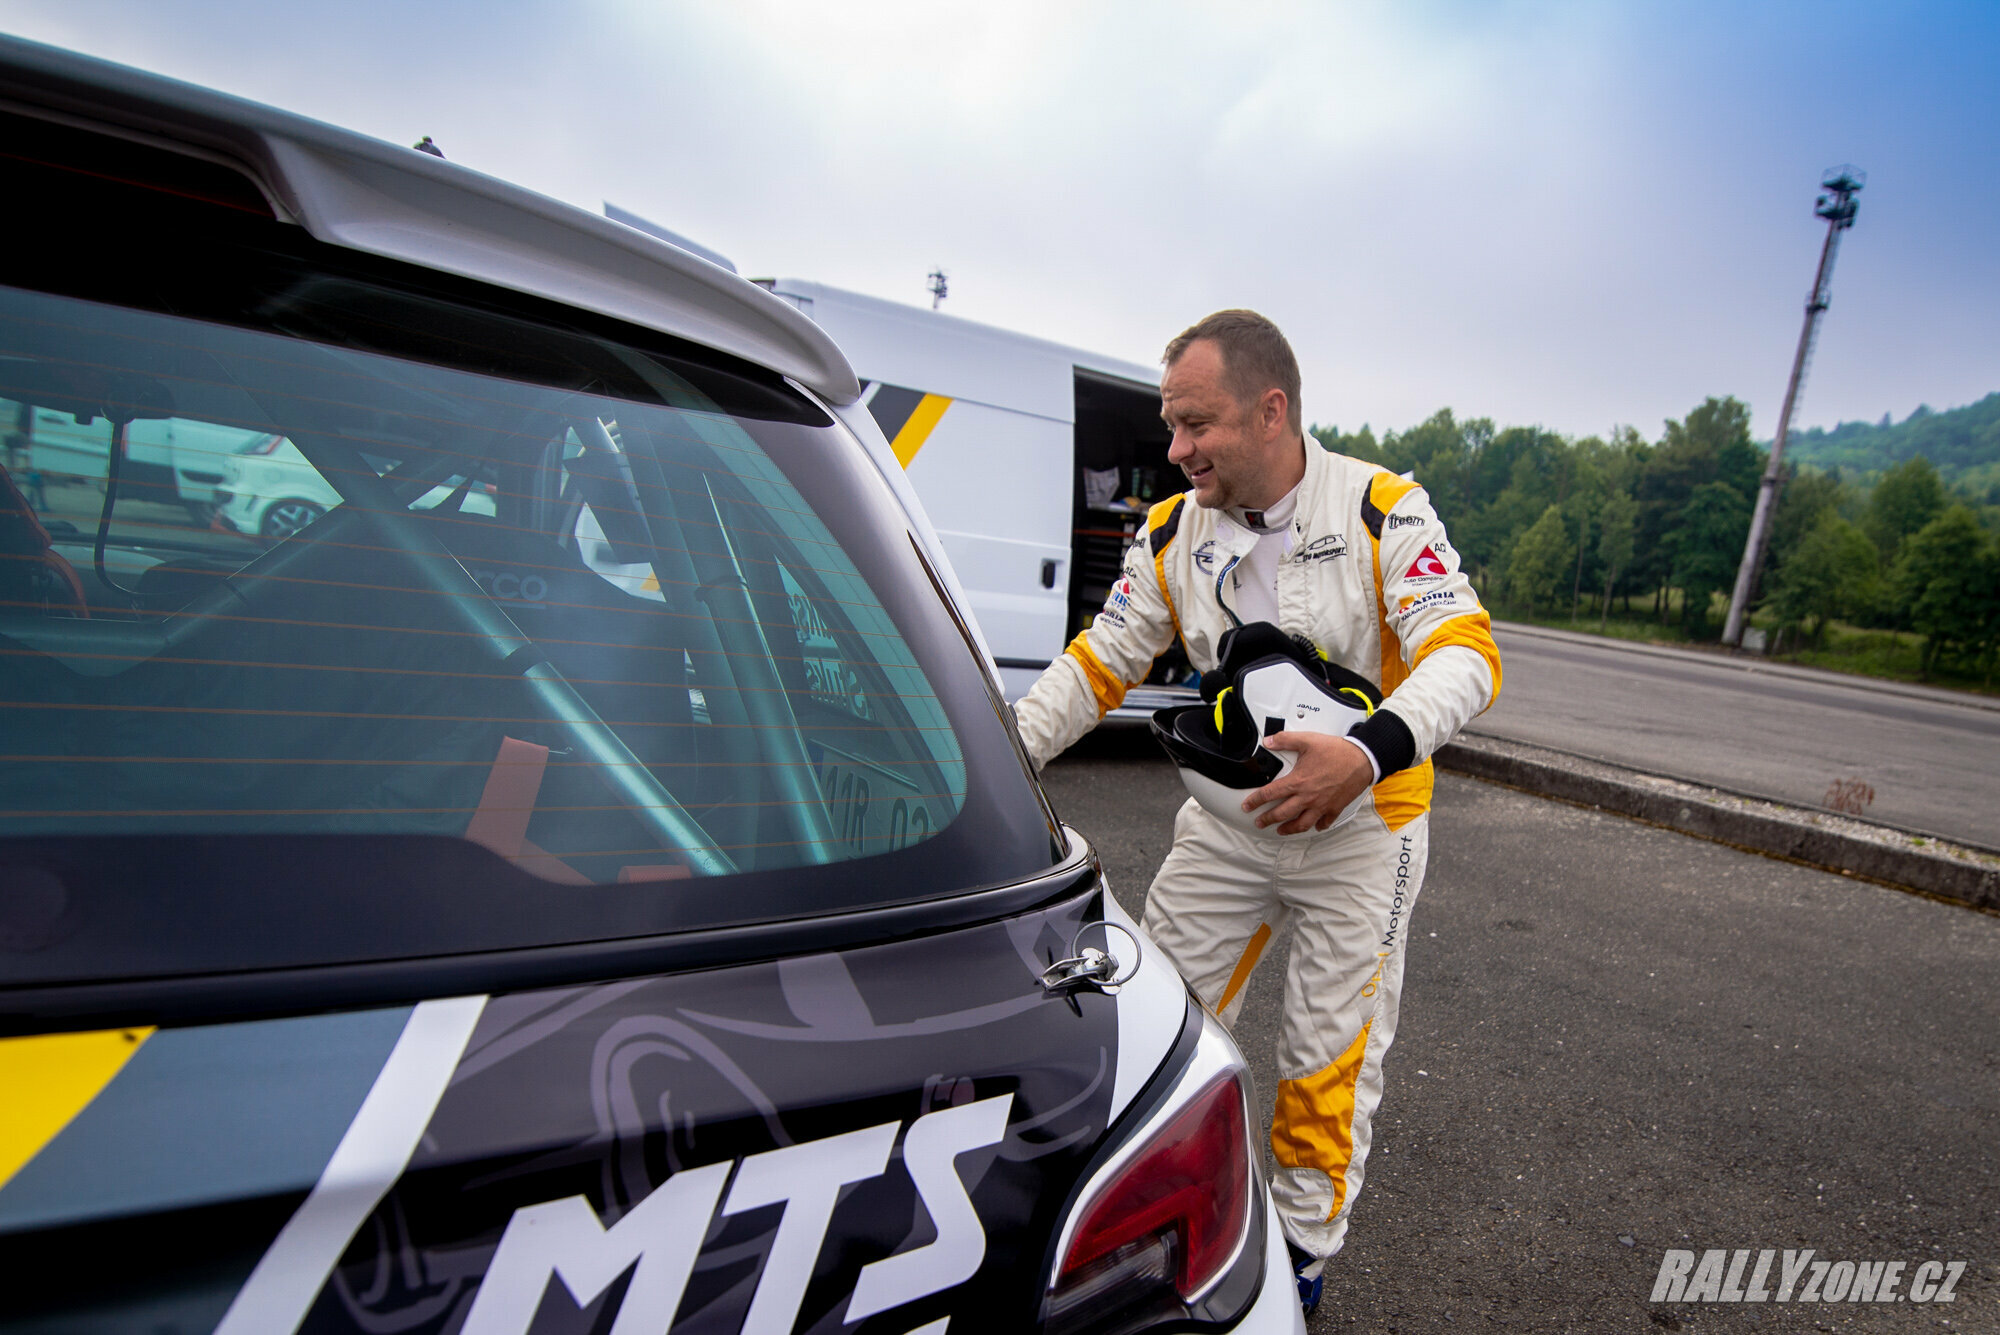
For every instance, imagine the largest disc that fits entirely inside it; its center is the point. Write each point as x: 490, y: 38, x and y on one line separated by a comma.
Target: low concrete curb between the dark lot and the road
x: 1817, y: 838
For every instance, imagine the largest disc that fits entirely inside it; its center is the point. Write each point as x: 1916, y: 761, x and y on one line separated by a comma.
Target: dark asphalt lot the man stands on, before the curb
x: 1621, y: 1040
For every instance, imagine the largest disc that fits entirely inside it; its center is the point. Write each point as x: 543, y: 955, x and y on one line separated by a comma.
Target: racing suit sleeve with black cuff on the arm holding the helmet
x: 1439, y: 661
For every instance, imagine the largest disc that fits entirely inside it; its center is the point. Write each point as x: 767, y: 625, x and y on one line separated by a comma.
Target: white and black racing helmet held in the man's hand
x: 1265, y: 682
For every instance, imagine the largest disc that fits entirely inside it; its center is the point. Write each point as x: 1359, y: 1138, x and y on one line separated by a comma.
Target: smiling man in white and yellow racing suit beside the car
x: 1351, y: 557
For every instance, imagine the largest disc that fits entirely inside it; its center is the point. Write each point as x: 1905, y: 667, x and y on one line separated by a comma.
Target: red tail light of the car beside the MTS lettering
x: 1169, y: 1216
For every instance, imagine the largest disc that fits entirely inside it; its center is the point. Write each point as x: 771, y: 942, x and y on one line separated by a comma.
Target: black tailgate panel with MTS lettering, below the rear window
x: 599, y: 1092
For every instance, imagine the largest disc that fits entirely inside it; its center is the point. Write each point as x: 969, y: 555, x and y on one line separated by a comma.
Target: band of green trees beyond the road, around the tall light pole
x: 1541, y: 519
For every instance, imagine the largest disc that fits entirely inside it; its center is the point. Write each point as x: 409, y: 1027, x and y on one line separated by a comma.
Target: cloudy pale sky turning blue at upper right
x: 1565, y: 215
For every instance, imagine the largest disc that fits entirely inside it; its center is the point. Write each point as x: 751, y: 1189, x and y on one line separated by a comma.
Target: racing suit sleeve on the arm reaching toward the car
x: 1113, y: 655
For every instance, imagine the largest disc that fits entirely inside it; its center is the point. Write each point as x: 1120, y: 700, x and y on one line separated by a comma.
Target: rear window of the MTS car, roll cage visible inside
x: 341, y: 551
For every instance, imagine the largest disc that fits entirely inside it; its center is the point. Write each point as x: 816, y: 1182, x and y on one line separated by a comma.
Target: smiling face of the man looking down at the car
x: 1225, y: 447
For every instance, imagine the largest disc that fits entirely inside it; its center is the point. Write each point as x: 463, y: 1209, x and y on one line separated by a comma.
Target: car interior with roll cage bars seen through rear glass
x: 601, y: 637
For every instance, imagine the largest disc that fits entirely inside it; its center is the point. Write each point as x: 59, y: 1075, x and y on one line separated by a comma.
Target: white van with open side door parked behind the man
x: 1035, y: 461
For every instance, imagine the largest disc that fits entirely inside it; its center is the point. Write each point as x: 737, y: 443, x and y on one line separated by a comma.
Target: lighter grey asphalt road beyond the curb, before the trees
x: 1933, y: 758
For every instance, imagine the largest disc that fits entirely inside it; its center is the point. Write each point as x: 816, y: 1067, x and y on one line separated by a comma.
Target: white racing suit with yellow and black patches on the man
x: 1373, y: 581
